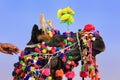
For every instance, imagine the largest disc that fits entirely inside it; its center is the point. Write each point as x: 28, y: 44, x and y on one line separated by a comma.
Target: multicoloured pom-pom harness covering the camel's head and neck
x: 30, y: 62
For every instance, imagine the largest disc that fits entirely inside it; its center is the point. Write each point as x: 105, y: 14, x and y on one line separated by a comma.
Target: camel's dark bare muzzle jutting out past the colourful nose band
x: 98, y: 45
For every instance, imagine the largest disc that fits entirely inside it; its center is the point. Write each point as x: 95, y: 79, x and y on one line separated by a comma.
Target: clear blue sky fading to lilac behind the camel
x: 17, y: 18
